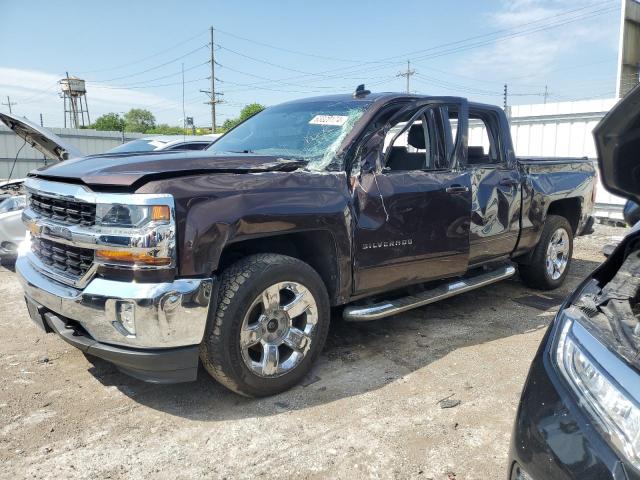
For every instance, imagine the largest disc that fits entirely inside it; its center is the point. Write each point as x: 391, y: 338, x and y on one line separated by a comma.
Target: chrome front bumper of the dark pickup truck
x: 170, y: 319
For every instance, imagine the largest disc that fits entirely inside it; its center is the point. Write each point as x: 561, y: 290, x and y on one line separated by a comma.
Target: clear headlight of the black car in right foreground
x: 605, y: 384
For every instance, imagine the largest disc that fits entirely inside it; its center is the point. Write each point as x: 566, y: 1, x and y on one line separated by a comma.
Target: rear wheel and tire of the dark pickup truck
x: 535, y: 273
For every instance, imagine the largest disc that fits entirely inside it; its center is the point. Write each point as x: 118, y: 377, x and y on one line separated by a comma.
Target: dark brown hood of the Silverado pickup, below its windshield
x: 127, y: 169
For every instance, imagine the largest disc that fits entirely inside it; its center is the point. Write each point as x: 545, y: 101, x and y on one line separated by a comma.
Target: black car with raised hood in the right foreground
x: 579, y: 414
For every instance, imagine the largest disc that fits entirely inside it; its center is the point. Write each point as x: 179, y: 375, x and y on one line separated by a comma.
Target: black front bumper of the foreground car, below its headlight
x: 553, y: 436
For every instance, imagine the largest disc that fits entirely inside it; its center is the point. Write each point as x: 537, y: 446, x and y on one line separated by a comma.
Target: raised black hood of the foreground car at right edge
x: 617, y: 138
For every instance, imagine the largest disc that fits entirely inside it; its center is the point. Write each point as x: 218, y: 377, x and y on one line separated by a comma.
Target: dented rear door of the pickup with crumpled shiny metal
x: 495, y: 187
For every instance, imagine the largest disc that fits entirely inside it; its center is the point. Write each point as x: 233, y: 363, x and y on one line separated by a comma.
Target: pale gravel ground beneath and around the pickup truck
x: 370, y: 408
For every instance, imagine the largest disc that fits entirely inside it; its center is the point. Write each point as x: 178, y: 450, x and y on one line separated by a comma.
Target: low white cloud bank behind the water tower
x: 35, y: 93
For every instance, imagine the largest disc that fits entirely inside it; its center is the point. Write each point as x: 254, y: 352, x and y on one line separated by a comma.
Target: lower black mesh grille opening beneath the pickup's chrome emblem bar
x: 61, y: 258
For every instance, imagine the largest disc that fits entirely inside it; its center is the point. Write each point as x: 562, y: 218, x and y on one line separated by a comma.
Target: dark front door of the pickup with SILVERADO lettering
x: 412, y: 206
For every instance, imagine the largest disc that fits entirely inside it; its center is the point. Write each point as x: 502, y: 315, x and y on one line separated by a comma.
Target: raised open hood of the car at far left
x: 43, y: 140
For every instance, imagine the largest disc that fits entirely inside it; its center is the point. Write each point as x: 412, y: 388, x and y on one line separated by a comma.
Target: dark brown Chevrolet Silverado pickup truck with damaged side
x: 235, y: 256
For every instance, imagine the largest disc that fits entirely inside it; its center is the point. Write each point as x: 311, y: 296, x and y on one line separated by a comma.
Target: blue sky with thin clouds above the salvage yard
x: 131, y: 52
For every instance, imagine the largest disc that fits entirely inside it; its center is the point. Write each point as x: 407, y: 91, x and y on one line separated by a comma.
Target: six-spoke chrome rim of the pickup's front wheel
x: 278, y: 328
